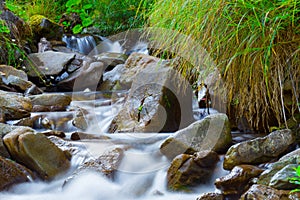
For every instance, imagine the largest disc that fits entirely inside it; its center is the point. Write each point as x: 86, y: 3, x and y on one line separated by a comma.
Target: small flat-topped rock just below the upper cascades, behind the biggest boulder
x: 111, y: 59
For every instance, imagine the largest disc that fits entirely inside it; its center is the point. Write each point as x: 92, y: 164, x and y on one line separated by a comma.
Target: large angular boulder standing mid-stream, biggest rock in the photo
x: 160, y: 100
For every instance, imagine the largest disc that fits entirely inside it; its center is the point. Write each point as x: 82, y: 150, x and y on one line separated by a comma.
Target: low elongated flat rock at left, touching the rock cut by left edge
x: 51, y: 100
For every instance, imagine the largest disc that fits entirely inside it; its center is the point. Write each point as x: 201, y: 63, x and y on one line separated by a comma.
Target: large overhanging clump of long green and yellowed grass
x: 255, y: 45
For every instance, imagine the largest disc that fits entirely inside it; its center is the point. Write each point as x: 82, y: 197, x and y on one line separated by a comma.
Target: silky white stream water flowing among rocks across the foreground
x: 142, y: 171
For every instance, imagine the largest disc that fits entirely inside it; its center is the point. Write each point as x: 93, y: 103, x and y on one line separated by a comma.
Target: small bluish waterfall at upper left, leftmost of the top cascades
x: 84, y: 44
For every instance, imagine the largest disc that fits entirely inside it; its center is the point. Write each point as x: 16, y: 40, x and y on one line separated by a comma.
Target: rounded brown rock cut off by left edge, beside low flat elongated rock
x: 14, y: 106
